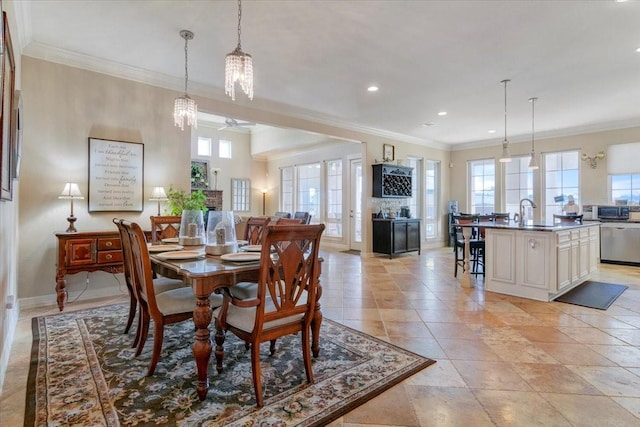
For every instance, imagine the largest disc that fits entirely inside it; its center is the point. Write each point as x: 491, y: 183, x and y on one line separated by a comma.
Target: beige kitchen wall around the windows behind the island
x: 593, y: 182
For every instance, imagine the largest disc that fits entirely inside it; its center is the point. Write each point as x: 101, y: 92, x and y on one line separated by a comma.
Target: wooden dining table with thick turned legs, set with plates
x: 208, y: 274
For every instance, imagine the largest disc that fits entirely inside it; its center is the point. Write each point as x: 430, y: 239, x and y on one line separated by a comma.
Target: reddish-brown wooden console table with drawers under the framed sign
x: 86, y: 251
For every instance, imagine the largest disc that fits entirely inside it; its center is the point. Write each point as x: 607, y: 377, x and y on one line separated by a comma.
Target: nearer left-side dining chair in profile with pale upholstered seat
x: 164, y: 308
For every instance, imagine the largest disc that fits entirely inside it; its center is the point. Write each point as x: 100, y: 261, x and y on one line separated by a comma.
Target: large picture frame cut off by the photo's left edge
x: 7, y: 78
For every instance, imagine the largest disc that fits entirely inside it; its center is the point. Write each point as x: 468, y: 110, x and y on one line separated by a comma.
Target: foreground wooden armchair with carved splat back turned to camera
x: 286, y: 299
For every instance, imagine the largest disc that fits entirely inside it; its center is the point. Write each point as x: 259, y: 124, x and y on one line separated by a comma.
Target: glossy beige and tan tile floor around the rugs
x: 502, y: 360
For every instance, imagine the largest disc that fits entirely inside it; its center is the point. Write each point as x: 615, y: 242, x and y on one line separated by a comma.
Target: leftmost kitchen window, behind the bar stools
x: 482, y: 174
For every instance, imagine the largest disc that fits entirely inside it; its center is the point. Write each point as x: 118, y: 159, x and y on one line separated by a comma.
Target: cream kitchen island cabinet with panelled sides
x: 539, y: 262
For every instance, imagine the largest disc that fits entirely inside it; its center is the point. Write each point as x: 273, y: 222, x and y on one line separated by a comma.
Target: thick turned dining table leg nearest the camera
x: 202, y: 315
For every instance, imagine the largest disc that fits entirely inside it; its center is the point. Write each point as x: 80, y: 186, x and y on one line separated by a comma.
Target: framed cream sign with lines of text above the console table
x: 116, y: 176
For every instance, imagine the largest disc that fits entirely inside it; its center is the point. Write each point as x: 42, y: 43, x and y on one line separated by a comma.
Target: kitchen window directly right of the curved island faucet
x: 562, y: 178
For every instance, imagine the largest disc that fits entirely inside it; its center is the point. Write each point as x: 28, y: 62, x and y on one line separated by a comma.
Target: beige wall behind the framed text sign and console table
x: 63, y: 106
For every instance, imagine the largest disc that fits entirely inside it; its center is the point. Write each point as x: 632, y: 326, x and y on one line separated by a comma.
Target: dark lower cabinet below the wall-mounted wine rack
x: 394, y: 236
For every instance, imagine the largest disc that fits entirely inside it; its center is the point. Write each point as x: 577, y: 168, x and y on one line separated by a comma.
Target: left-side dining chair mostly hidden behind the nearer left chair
x: 160, y: 284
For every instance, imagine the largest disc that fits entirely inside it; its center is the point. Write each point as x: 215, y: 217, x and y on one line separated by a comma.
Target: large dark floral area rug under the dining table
x: 84, y: 373
